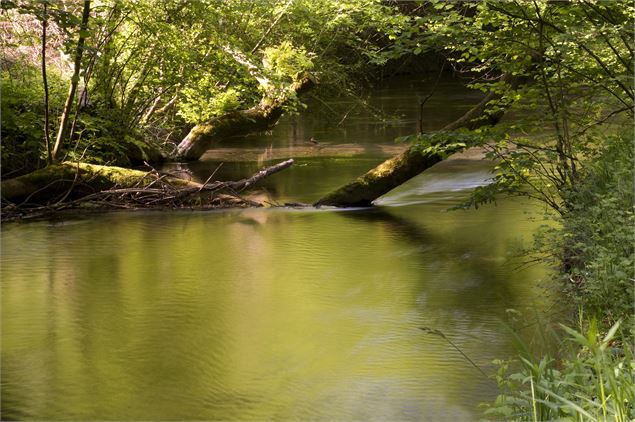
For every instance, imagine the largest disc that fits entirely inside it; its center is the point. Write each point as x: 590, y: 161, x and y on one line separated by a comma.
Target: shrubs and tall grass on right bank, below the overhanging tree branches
x: 590, y: 374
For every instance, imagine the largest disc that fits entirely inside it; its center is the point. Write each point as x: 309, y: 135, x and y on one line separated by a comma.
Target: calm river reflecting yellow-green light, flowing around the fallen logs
x: 274, y: 314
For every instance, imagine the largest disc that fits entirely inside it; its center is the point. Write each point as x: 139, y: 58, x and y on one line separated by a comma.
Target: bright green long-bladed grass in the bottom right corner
x: 591, y: 380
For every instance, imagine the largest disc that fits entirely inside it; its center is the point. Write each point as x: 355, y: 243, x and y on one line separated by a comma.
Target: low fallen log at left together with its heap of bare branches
x: 80, y: 185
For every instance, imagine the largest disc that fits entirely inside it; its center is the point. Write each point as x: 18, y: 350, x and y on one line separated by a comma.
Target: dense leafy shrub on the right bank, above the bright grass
x: 599, y: 229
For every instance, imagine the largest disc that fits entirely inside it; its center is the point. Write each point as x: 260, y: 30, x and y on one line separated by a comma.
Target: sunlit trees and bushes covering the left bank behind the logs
x: 140, y: 74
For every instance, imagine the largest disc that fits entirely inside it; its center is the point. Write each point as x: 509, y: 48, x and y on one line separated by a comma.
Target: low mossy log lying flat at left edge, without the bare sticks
x: 70, y: 180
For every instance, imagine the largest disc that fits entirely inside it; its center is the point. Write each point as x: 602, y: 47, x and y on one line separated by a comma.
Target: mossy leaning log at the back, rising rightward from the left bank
x: 256, y: 119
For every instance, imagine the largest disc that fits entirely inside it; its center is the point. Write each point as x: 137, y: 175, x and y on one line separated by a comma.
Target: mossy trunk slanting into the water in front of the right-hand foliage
x: 397, y: 170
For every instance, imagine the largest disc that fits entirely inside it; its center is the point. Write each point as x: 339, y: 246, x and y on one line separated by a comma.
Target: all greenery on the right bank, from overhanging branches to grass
x: 577, y: 59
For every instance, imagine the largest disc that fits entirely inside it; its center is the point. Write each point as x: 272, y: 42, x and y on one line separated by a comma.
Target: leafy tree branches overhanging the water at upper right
x: 571, y: 64
